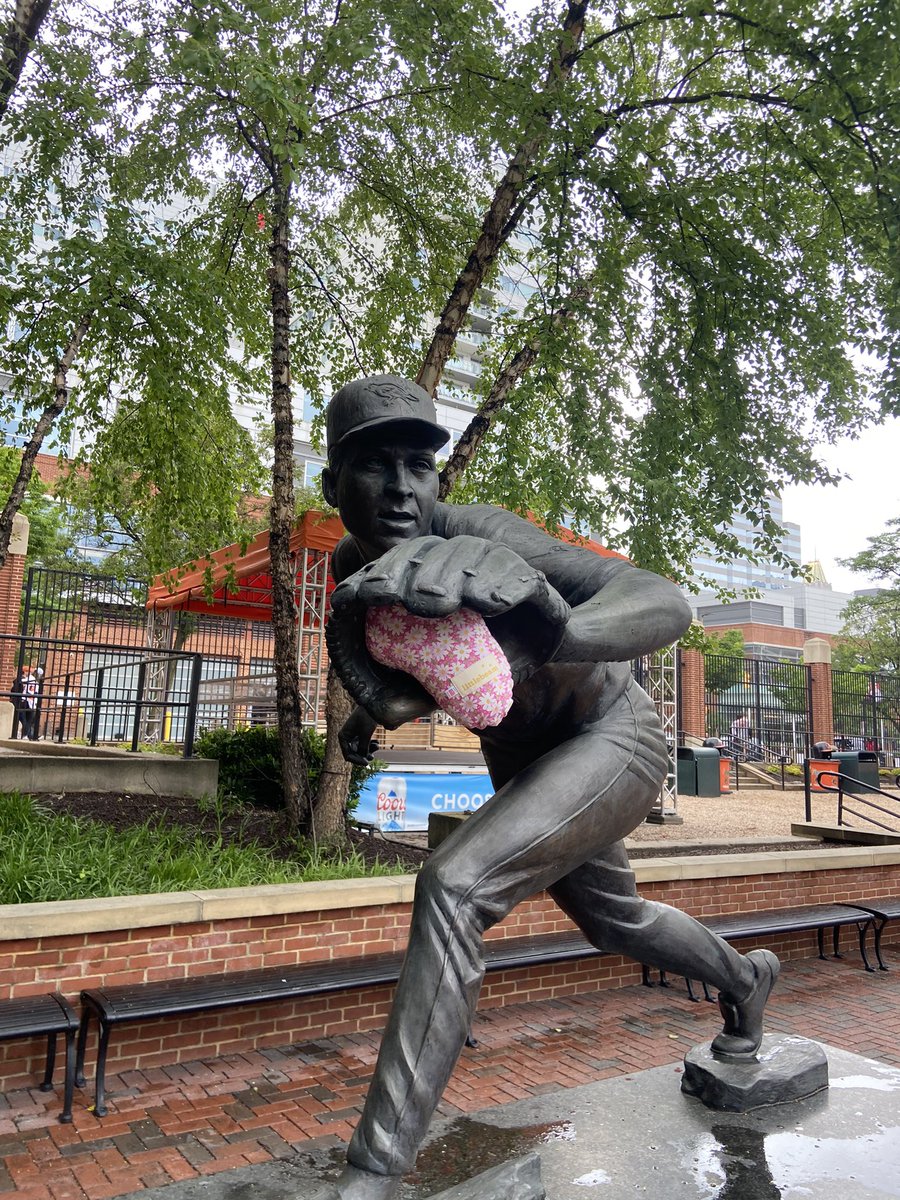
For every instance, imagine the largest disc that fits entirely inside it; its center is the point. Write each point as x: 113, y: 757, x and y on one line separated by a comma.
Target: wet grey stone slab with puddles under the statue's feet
x: 638, y: 1136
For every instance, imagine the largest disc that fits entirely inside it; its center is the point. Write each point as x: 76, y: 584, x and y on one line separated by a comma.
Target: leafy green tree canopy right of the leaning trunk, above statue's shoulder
x: 718, y: 225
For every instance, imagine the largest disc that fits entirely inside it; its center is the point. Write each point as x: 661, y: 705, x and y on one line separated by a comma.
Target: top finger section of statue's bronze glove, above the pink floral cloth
x: 436, y: 577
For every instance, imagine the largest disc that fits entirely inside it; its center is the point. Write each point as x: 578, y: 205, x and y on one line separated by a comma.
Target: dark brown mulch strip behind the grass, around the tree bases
x: 236, y: 827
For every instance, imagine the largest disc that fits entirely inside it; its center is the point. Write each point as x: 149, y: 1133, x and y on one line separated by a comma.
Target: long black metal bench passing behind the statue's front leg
x: 230, y: 989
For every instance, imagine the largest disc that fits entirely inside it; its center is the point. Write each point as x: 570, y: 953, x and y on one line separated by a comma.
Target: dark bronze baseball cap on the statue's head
x: 381, y: 401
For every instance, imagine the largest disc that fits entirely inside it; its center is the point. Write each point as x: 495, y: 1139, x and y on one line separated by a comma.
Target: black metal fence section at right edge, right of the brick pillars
x: 867, y: 713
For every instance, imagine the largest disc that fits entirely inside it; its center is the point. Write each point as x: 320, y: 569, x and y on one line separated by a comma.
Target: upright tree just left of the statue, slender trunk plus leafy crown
x: 340, y: 133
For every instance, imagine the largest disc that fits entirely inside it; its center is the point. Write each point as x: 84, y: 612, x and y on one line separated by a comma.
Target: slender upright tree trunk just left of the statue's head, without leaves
x: 287, y: 683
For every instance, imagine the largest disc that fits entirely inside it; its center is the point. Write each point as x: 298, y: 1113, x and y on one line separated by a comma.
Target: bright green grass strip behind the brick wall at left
x: 49, y: 857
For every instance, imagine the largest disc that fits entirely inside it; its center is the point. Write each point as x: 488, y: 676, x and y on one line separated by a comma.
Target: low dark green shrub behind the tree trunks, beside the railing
x: 250, y: 764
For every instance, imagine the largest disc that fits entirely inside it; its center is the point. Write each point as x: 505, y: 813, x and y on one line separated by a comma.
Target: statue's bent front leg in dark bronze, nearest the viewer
x: 553, y: 814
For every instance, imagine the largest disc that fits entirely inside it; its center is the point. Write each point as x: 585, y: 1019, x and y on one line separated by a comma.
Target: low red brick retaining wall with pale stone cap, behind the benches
x: 87, y: 944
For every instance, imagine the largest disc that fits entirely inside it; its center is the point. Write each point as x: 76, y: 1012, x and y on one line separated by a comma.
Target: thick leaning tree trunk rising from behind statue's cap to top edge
x: 509, y: 202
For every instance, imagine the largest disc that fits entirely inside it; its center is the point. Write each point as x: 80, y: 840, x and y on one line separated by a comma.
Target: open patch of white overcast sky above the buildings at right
x: 837, y: 523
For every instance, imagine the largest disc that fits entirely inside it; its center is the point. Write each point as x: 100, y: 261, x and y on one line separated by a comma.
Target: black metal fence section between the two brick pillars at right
x: 761, y: 709
